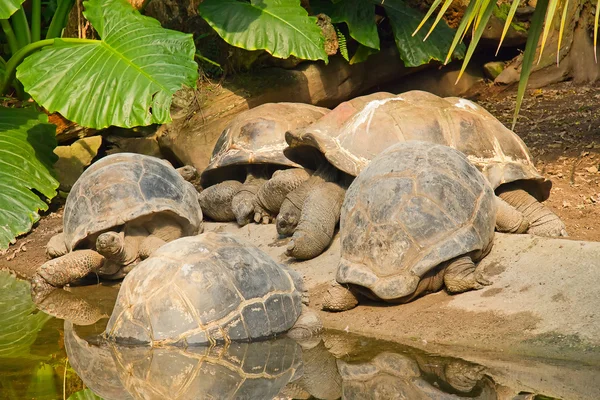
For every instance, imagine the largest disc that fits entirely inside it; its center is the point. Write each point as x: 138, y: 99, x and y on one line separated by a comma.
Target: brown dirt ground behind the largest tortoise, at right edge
x: 561, y: 126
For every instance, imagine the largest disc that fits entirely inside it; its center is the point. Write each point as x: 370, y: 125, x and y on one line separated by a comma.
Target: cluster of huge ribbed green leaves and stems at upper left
x: 126, y: 79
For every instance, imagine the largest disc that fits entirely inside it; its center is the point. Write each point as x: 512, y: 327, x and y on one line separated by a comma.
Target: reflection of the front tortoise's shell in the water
x: 238, y: 371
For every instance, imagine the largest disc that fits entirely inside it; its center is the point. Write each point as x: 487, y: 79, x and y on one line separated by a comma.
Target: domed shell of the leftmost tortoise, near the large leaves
x: 125, y: 186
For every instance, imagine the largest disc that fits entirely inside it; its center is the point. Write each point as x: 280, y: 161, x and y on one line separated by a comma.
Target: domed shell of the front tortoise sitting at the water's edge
x: 205, y: 289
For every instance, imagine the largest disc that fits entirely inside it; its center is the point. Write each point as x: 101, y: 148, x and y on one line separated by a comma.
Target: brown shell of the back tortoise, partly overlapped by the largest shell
x: 257, y: 136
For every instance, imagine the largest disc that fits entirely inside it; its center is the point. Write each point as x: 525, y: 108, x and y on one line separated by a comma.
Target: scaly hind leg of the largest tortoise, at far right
x: 542, y: 221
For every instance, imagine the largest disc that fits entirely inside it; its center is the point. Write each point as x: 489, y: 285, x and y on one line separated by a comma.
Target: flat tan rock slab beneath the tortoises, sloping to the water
x: 544, y: 299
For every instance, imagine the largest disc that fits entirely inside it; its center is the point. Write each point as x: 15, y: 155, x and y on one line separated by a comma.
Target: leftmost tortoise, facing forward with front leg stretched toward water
x: 119, y: 211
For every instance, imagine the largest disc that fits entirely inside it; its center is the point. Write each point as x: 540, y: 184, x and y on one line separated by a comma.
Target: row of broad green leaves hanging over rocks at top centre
x: 283, y: 28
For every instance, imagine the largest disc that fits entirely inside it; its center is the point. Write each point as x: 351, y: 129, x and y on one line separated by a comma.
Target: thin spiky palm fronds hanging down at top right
x: 477, y: 16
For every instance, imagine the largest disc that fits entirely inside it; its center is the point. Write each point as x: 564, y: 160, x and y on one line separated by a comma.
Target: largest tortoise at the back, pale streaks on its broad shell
x: 357, y: 130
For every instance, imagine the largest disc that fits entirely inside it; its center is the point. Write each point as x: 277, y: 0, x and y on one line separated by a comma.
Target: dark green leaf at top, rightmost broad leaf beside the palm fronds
x: 413, y: 50
